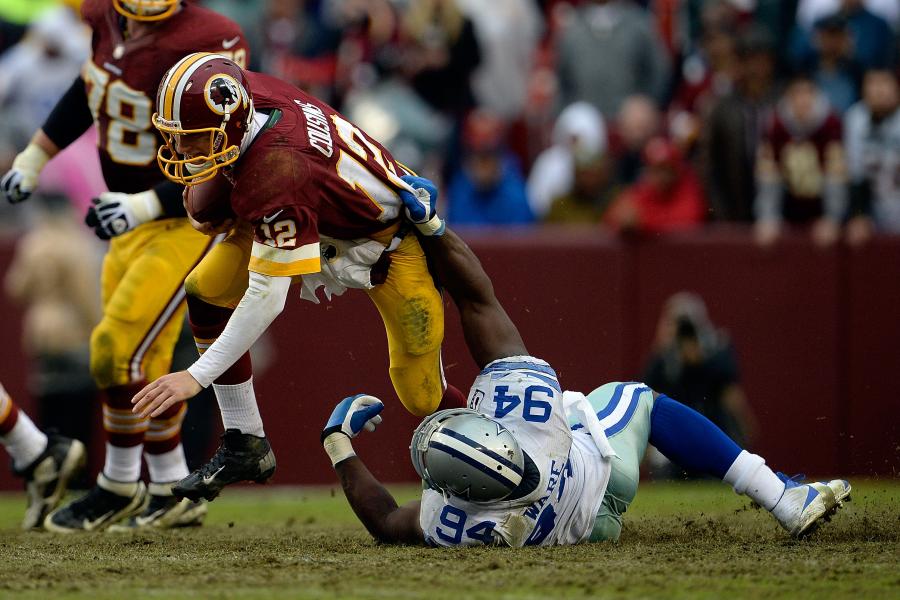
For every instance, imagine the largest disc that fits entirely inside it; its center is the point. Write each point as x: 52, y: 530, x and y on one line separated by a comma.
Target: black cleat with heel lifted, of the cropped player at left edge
x: 48, y: 476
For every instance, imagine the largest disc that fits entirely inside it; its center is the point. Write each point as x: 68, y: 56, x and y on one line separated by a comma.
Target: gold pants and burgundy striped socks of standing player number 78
x: 143, y: 311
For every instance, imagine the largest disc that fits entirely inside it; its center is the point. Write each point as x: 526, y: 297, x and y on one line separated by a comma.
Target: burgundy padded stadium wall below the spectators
x: 815, y: 330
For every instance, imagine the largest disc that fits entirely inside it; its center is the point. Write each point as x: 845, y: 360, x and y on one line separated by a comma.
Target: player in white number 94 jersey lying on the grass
x: 529, y: 464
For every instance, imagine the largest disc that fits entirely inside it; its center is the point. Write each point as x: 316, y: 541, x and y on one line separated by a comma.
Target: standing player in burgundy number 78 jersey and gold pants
x: 153, y: 245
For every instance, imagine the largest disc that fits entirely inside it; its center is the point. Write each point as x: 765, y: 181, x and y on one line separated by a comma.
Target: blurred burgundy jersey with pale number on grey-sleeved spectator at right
x: 804, y: 162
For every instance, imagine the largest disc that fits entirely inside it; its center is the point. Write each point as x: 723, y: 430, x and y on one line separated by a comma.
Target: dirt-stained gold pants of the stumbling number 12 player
x: 410, y: 306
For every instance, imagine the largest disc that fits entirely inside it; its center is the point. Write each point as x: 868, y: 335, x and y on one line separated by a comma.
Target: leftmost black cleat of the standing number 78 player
x: 106, y: 503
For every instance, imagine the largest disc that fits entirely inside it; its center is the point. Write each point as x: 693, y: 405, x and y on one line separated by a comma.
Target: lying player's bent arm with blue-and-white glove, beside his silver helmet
x: 373, y: 504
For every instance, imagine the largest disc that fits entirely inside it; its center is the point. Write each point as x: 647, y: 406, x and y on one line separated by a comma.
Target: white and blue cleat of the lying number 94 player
x: 803, y: 506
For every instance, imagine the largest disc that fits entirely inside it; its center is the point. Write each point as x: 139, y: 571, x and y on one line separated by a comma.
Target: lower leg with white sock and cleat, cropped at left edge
x: 46, y: 462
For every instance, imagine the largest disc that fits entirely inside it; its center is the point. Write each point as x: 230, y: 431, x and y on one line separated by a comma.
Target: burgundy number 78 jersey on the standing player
x: 122, y: 77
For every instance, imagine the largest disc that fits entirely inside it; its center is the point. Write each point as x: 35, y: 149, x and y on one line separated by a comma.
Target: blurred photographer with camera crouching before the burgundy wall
x: 696, y: 362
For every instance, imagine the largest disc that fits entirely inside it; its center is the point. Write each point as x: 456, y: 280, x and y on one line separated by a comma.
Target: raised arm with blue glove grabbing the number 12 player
x: 490, y: 333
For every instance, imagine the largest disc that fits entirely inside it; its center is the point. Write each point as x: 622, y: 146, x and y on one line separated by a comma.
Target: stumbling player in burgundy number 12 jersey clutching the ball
x: 322, y: 199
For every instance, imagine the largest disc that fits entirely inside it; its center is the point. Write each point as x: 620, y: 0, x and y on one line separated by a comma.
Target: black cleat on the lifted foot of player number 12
x: 241, y: 457
